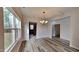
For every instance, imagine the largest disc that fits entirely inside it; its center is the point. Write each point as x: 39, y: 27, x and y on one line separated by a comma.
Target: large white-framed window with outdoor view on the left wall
x: 12, y: 29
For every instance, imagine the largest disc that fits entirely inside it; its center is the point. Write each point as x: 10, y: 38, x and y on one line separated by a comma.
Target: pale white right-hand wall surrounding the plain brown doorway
x: 65, y: 32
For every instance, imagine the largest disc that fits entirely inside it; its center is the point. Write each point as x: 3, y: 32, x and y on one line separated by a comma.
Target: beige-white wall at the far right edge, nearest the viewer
x: 74, y: 27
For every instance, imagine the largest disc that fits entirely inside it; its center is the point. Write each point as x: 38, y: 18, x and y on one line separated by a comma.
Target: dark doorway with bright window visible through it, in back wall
x: 32, y: 29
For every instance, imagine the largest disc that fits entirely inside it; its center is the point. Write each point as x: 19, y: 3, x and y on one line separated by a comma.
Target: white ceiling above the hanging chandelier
x: 37, y: 11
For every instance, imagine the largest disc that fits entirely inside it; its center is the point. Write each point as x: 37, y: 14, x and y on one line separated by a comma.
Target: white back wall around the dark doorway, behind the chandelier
x: 42, y: 30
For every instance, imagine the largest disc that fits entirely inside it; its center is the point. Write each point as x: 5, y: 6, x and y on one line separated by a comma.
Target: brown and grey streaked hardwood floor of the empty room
x: 47, y: 45
